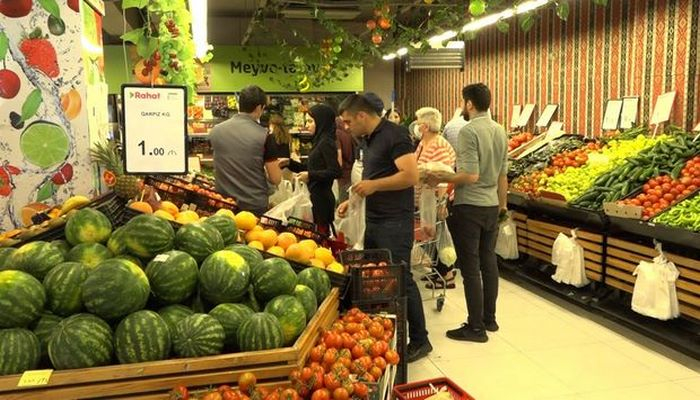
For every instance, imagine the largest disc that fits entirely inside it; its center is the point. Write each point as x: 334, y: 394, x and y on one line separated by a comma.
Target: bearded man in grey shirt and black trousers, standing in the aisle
x: 481, y: 186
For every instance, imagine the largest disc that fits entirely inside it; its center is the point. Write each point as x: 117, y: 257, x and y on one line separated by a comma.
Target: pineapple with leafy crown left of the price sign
x: 108, y: 155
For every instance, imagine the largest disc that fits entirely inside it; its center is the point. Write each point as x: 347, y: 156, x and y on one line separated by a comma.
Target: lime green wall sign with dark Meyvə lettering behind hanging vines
x: 232, y: 68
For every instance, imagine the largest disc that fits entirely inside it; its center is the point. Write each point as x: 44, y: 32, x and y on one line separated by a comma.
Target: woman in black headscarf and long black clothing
x: 322, y: 166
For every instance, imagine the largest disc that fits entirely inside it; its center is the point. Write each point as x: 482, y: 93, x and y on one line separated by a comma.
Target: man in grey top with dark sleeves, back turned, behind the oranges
x: 244, y: 160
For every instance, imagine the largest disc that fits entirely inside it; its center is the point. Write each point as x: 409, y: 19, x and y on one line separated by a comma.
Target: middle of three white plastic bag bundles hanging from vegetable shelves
x: 568, y: 256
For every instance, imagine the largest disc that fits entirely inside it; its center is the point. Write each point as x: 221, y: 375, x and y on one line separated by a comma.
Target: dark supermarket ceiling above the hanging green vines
x: 230, y: 21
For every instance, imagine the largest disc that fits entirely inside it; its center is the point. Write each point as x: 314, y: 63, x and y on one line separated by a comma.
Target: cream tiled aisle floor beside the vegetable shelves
x: 549, y: 349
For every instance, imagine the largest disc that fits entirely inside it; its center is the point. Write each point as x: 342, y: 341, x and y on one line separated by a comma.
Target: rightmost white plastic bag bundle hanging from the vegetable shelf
x: 654, y: 292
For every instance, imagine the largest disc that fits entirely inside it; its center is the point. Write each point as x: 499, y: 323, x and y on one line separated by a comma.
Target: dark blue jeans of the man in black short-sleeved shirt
x: 397, y: 236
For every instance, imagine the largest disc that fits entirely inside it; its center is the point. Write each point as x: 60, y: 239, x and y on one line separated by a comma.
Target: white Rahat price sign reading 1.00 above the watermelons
x: 155, y: 129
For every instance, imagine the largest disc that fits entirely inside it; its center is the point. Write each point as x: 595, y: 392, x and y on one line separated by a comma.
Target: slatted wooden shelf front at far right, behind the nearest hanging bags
x: 623, y: 257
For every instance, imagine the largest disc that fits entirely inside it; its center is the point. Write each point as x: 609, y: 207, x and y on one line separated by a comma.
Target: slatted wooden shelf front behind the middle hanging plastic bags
x: 541, y: 236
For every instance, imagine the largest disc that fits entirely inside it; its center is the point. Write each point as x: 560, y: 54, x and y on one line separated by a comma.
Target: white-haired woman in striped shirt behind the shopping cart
x: 434, y: 148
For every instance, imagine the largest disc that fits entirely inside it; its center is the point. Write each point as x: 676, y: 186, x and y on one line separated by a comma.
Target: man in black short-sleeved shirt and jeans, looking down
x: 390, y: 172
